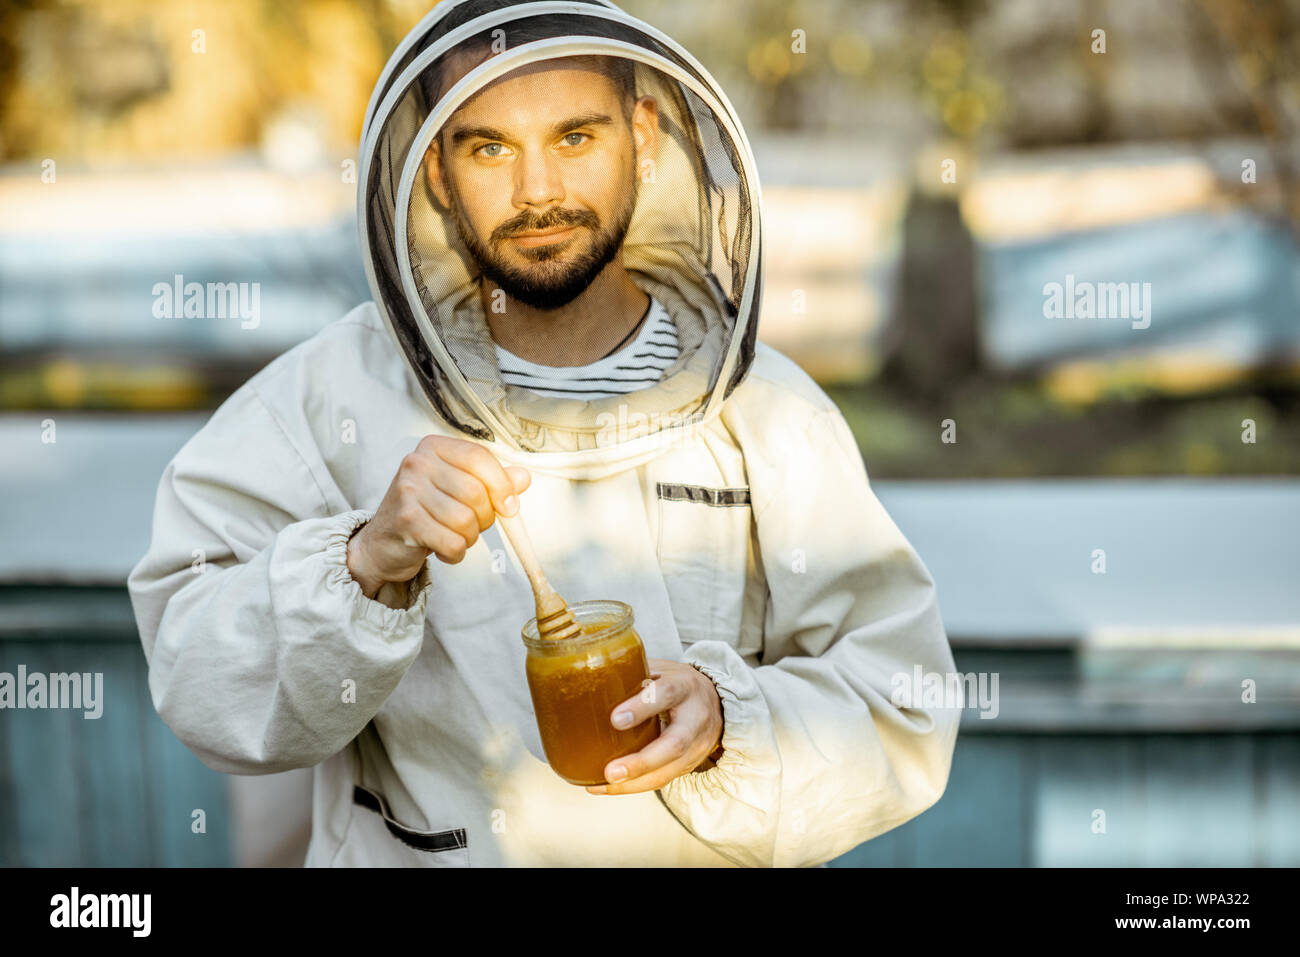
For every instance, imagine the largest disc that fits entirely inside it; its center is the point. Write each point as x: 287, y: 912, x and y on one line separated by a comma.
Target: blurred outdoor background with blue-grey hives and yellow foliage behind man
x: 1110, y: 503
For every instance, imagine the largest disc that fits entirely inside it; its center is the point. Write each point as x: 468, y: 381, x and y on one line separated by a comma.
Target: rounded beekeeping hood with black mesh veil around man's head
x: 694, y: 240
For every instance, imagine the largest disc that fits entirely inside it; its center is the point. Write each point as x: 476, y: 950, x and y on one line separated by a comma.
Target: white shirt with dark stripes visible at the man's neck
x: 638, y: 366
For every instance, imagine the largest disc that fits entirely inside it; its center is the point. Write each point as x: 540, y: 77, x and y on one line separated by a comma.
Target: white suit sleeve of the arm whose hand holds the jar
x: 818, y: 757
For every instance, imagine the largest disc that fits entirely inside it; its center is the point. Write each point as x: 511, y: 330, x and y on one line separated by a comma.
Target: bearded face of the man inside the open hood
x: 540, y: 174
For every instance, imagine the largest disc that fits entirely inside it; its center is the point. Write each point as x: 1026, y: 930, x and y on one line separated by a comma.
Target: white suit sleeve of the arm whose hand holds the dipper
x: 263, y: 652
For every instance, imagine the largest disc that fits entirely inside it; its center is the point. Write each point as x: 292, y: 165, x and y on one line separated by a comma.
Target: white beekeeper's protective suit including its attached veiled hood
x: 729, y: 505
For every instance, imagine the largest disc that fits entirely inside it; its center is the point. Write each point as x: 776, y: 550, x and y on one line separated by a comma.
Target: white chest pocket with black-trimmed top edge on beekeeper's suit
x: 708, y: 560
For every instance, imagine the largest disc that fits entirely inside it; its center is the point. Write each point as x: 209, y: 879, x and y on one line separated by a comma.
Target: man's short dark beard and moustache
x: 552, y: 282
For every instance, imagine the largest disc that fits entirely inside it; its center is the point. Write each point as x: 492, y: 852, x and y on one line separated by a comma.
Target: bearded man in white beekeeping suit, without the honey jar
x: 578, y: 215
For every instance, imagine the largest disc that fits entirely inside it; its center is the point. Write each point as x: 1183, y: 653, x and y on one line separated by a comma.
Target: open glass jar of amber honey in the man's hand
x: 578, y: 682
